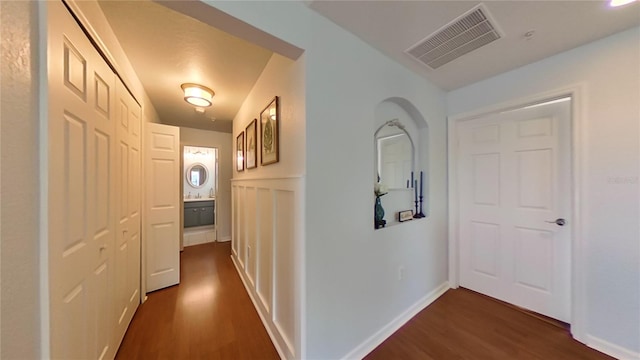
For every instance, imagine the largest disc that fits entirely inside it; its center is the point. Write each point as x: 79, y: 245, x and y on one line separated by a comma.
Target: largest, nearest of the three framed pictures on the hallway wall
x: 269, y: 136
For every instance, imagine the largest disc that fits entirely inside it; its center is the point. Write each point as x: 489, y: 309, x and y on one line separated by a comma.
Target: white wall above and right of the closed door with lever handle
x: 609, y: 70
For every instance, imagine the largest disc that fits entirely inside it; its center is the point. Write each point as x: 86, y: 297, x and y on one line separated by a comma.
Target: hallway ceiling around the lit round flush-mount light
x: 167, y: 49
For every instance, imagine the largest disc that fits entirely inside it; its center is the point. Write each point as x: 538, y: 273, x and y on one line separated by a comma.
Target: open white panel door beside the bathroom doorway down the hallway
x: 162, y: 205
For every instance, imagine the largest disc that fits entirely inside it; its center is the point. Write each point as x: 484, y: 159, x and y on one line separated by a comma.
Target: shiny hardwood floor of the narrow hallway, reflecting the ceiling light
x: 209, y: 315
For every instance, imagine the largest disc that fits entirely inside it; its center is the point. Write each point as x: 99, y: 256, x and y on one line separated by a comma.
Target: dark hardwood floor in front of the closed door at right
x: 463, y: 324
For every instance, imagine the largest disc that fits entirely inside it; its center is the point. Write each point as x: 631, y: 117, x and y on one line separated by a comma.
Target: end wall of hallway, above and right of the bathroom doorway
x: 223, y: 142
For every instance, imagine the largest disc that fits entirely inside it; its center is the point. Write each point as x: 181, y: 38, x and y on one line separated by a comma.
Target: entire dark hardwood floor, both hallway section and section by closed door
x: 210, y: 316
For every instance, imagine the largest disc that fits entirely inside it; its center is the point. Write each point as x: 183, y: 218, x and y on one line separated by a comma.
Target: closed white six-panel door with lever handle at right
x: 513, y: 180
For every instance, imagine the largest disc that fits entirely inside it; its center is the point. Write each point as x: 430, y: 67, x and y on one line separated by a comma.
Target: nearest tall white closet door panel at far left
x: 81, y: 164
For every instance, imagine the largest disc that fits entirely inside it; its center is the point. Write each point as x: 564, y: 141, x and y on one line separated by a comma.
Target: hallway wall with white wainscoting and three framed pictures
x: 267, y: 202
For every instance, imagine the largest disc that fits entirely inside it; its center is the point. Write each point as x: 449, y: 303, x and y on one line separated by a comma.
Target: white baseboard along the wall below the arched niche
x: 381, y: 335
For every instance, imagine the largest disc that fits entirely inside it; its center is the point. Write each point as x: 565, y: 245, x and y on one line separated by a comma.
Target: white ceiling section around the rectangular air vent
x: 394, y: 26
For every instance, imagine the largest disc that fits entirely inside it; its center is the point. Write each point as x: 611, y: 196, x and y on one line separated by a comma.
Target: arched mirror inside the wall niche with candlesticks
x: 394, y: 155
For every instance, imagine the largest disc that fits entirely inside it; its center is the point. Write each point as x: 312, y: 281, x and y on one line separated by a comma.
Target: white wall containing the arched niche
x: 352, y: 290
